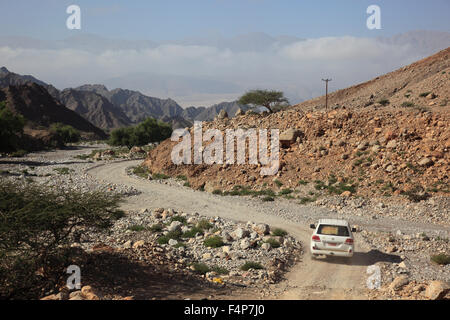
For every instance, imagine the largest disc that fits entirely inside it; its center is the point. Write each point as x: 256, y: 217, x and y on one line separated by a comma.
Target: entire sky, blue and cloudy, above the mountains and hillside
x: 207, y: 51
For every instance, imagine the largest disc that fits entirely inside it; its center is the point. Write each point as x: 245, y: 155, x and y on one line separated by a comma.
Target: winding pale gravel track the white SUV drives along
x: 330, y: 278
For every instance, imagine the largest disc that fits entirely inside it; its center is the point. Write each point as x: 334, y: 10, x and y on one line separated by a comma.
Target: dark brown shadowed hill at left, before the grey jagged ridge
x: 41, y: 110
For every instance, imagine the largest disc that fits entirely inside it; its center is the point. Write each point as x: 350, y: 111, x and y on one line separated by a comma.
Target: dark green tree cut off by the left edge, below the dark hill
x: 11, y: 128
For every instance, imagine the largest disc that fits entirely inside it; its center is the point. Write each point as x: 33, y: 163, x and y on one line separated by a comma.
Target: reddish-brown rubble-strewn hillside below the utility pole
x: 388, y: 136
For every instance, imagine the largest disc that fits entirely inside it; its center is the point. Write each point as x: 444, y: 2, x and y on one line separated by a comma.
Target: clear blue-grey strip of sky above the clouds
x: 176, y: 19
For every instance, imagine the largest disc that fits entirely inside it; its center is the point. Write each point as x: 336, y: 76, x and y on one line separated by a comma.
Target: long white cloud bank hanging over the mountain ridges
x: 297, y: 68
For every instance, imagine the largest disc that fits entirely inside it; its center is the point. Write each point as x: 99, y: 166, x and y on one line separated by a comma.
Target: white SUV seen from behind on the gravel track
x: 332, y: 237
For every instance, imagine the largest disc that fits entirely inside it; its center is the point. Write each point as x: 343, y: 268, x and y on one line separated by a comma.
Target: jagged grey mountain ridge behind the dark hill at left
x: 110, y: 109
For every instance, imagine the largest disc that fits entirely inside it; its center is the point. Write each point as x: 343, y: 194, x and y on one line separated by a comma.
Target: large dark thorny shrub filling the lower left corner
x: 38, y: 226
